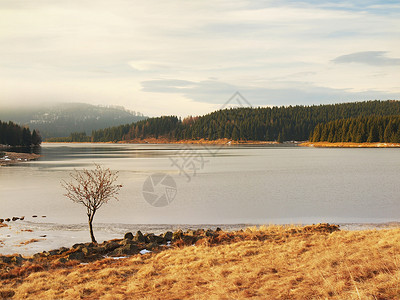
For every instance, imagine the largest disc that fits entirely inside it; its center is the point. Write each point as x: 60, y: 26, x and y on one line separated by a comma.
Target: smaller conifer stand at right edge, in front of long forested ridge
x: 369, y: 129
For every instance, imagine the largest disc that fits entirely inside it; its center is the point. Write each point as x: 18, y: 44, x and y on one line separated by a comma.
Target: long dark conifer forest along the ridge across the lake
x: 251, y: 124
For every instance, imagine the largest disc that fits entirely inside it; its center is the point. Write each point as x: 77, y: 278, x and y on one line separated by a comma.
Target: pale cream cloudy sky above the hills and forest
x: 189, y: 57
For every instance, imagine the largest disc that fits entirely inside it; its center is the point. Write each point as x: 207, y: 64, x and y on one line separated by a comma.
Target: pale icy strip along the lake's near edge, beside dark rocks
x: 49, y: 236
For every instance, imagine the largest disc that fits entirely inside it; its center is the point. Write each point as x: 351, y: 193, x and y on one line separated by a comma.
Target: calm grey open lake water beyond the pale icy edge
x: 230, y: 185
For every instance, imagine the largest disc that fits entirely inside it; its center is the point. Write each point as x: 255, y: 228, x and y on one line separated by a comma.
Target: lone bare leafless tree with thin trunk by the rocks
x: 92, y: 188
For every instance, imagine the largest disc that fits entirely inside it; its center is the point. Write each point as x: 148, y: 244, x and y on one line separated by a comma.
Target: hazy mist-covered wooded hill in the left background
x: 58, y: 120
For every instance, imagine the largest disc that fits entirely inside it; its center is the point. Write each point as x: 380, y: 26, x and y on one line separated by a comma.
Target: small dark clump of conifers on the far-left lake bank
x: 14, y: 135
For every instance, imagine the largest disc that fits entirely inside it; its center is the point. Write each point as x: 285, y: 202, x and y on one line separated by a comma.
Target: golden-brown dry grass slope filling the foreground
x: 269, y: 262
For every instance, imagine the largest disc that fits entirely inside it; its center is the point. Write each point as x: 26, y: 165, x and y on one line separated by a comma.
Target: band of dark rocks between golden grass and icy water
x: 139, y: 243
